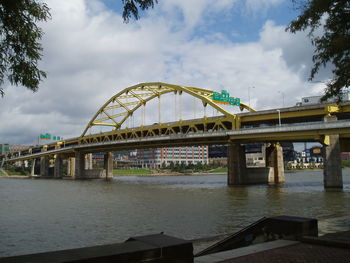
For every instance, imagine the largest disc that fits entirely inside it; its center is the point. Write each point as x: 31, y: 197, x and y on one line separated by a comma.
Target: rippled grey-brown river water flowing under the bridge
x: 39, y: 215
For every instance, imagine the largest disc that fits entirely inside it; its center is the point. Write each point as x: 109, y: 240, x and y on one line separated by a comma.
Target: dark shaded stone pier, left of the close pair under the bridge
x: 236, y: 164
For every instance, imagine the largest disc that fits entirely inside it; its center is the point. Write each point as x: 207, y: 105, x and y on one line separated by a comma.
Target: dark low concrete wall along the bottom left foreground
x: 157, y: 248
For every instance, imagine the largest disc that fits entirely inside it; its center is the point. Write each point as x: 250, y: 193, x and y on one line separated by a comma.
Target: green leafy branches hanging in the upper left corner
x: 19, y: 43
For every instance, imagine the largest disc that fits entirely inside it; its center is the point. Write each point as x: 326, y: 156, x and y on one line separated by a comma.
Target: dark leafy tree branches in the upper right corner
x: 333, y: 45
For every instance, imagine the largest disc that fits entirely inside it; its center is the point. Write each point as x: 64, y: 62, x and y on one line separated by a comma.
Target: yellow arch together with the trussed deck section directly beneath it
x: 119, y: 108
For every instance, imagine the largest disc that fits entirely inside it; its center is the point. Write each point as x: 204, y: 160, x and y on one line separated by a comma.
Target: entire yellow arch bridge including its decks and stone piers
x: 325, y: 123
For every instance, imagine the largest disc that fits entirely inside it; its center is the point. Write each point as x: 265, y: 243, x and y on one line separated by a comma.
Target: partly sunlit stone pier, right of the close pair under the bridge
x: 274, y: 159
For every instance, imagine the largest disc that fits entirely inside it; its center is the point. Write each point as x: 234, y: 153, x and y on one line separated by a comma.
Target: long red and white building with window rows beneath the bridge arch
x: 160, y: 157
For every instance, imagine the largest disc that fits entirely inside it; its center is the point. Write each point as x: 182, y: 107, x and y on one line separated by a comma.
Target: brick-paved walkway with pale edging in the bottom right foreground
x: 330, y: 248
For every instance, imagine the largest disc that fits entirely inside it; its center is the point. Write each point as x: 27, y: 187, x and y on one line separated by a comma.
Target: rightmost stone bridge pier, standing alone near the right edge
x: 332, y: 171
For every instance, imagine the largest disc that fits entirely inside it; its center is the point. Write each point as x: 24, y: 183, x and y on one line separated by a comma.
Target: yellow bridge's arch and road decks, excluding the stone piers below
x: 225, y: 128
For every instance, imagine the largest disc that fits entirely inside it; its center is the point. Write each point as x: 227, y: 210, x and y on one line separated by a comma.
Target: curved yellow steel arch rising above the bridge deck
x: 141, y: 94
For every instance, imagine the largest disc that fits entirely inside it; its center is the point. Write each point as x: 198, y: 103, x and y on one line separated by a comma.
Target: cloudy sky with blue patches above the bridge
x: 90, y: 55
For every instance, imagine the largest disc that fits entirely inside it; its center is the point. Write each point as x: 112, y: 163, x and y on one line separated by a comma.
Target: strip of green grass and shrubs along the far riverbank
x: 12, y: 171
